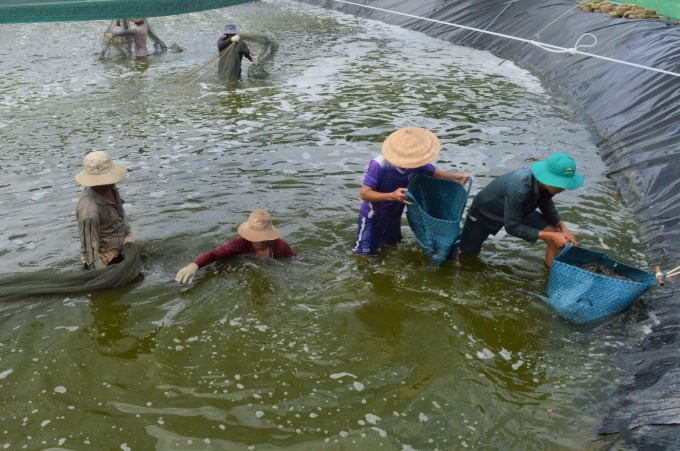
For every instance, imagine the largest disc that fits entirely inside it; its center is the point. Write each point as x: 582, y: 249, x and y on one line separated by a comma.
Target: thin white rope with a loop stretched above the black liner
x: 547, y: 47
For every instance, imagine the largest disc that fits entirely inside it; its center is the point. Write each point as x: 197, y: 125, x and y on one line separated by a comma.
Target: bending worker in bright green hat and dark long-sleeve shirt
x: 521, y: 201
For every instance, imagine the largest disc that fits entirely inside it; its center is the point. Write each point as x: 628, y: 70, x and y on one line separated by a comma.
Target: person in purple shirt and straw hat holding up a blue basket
x: 405, y: 153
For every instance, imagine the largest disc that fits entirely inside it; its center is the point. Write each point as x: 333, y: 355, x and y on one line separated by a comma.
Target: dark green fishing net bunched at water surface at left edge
x: 59, y: 282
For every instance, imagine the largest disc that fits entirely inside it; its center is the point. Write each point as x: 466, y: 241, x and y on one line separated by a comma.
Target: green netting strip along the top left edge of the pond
x: 23, y: 11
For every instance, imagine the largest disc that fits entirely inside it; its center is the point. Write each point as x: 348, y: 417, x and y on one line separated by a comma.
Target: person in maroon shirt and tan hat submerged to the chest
x: 258, y: 236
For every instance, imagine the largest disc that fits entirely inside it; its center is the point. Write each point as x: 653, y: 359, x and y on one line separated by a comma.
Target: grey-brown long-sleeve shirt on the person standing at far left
x: 103, y: 227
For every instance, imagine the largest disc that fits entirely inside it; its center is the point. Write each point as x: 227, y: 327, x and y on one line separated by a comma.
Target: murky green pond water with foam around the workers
x: 327, y: 352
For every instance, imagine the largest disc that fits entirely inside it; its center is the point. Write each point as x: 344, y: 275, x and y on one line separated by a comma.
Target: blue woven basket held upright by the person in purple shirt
x: 435, y: 215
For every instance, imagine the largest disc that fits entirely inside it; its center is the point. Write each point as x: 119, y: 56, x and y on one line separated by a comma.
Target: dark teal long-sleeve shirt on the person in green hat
x: 509, y: 199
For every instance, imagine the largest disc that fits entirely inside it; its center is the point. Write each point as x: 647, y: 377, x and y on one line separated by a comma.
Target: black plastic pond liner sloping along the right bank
x: 635, y: 115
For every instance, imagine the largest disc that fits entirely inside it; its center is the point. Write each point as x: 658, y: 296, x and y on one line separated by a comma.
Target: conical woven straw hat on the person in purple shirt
x: 411, y: 147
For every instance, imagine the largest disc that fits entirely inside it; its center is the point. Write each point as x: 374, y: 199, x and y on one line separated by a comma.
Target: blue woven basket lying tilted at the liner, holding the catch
x: 580, y: 296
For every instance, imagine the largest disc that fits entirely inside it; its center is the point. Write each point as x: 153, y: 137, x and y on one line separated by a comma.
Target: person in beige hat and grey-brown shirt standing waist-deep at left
x: 102, y: 222
